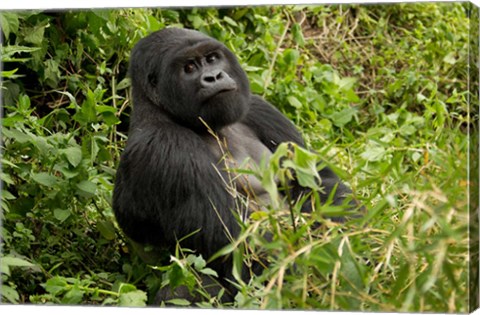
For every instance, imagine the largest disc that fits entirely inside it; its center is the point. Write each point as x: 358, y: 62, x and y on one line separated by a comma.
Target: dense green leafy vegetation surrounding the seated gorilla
x: 381, y: 92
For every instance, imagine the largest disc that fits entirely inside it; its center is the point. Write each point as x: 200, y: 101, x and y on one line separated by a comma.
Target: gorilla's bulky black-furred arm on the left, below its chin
x: 166, y: 188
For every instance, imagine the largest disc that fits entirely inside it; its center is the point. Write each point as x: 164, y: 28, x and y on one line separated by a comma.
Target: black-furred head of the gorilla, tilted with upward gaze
x: 191, y: 77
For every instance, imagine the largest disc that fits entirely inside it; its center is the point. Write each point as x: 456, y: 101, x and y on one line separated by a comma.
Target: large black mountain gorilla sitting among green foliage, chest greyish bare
x: 193, y: 117
